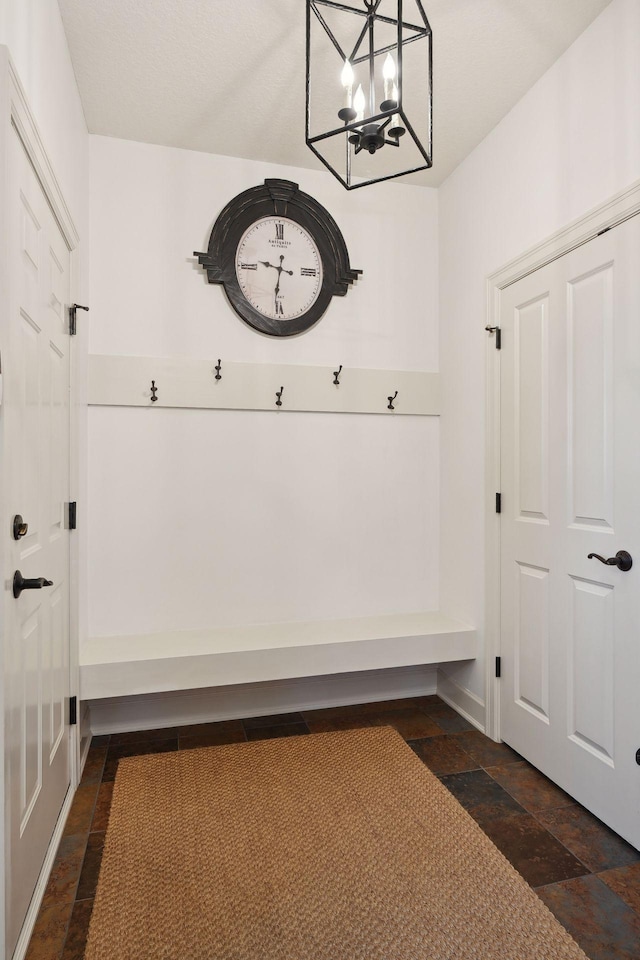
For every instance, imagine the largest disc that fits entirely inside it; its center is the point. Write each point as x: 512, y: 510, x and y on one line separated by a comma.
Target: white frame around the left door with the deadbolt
x: 15, y: 112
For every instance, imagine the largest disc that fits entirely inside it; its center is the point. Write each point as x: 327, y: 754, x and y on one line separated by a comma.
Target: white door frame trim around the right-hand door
x: 618, y: 208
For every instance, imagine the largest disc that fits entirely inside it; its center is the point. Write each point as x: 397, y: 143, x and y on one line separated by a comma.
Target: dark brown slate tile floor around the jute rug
x: 587, y: 875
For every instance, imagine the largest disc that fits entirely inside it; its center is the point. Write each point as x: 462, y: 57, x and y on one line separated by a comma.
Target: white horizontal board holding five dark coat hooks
x: 190, y: 382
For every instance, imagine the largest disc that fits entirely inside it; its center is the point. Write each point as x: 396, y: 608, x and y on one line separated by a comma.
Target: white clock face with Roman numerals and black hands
x: 279, y: 268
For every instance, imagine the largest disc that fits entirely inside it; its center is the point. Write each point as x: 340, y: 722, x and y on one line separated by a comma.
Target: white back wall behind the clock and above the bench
x: 208, y: 518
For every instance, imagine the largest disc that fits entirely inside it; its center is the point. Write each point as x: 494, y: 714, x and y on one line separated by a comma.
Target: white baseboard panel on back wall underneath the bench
x: 181, y: 707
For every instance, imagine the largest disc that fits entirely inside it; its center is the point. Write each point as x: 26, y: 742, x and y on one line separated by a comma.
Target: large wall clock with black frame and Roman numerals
x: 280, y: 257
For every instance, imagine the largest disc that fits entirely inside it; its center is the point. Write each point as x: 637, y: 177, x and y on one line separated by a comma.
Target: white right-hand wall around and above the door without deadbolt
x: 569, y: 144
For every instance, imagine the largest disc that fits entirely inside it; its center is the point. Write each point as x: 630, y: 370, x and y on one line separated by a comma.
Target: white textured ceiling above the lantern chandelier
x: 228, y: 77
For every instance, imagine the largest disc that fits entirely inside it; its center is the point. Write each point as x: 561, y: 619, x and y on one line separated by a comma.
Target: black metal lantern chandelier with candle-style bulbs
x: 369, y: 86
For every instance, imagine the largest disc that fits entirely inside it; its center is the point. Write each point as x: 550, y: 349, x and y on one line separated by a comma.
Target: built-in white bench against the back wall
x: 189, y: 660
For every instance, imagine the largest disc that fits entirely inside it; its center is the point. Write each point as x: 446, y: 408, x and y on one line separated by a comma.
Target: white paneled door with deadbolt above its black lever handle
x: 35, y: 415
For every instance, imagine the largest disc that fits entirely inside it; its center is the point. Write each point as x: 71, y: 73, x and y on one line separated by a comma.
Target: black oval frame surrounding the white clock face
x: 279, y: 198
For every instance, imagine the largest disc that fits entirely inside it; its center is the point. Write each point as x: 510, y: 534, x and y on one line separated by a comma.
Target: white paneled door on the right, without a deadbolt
x: 570, y: 483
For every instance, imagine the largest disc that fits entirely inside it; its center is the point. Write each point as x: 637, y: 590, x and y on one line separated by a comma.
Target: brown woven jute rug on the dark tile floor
x: 335, y: 846
